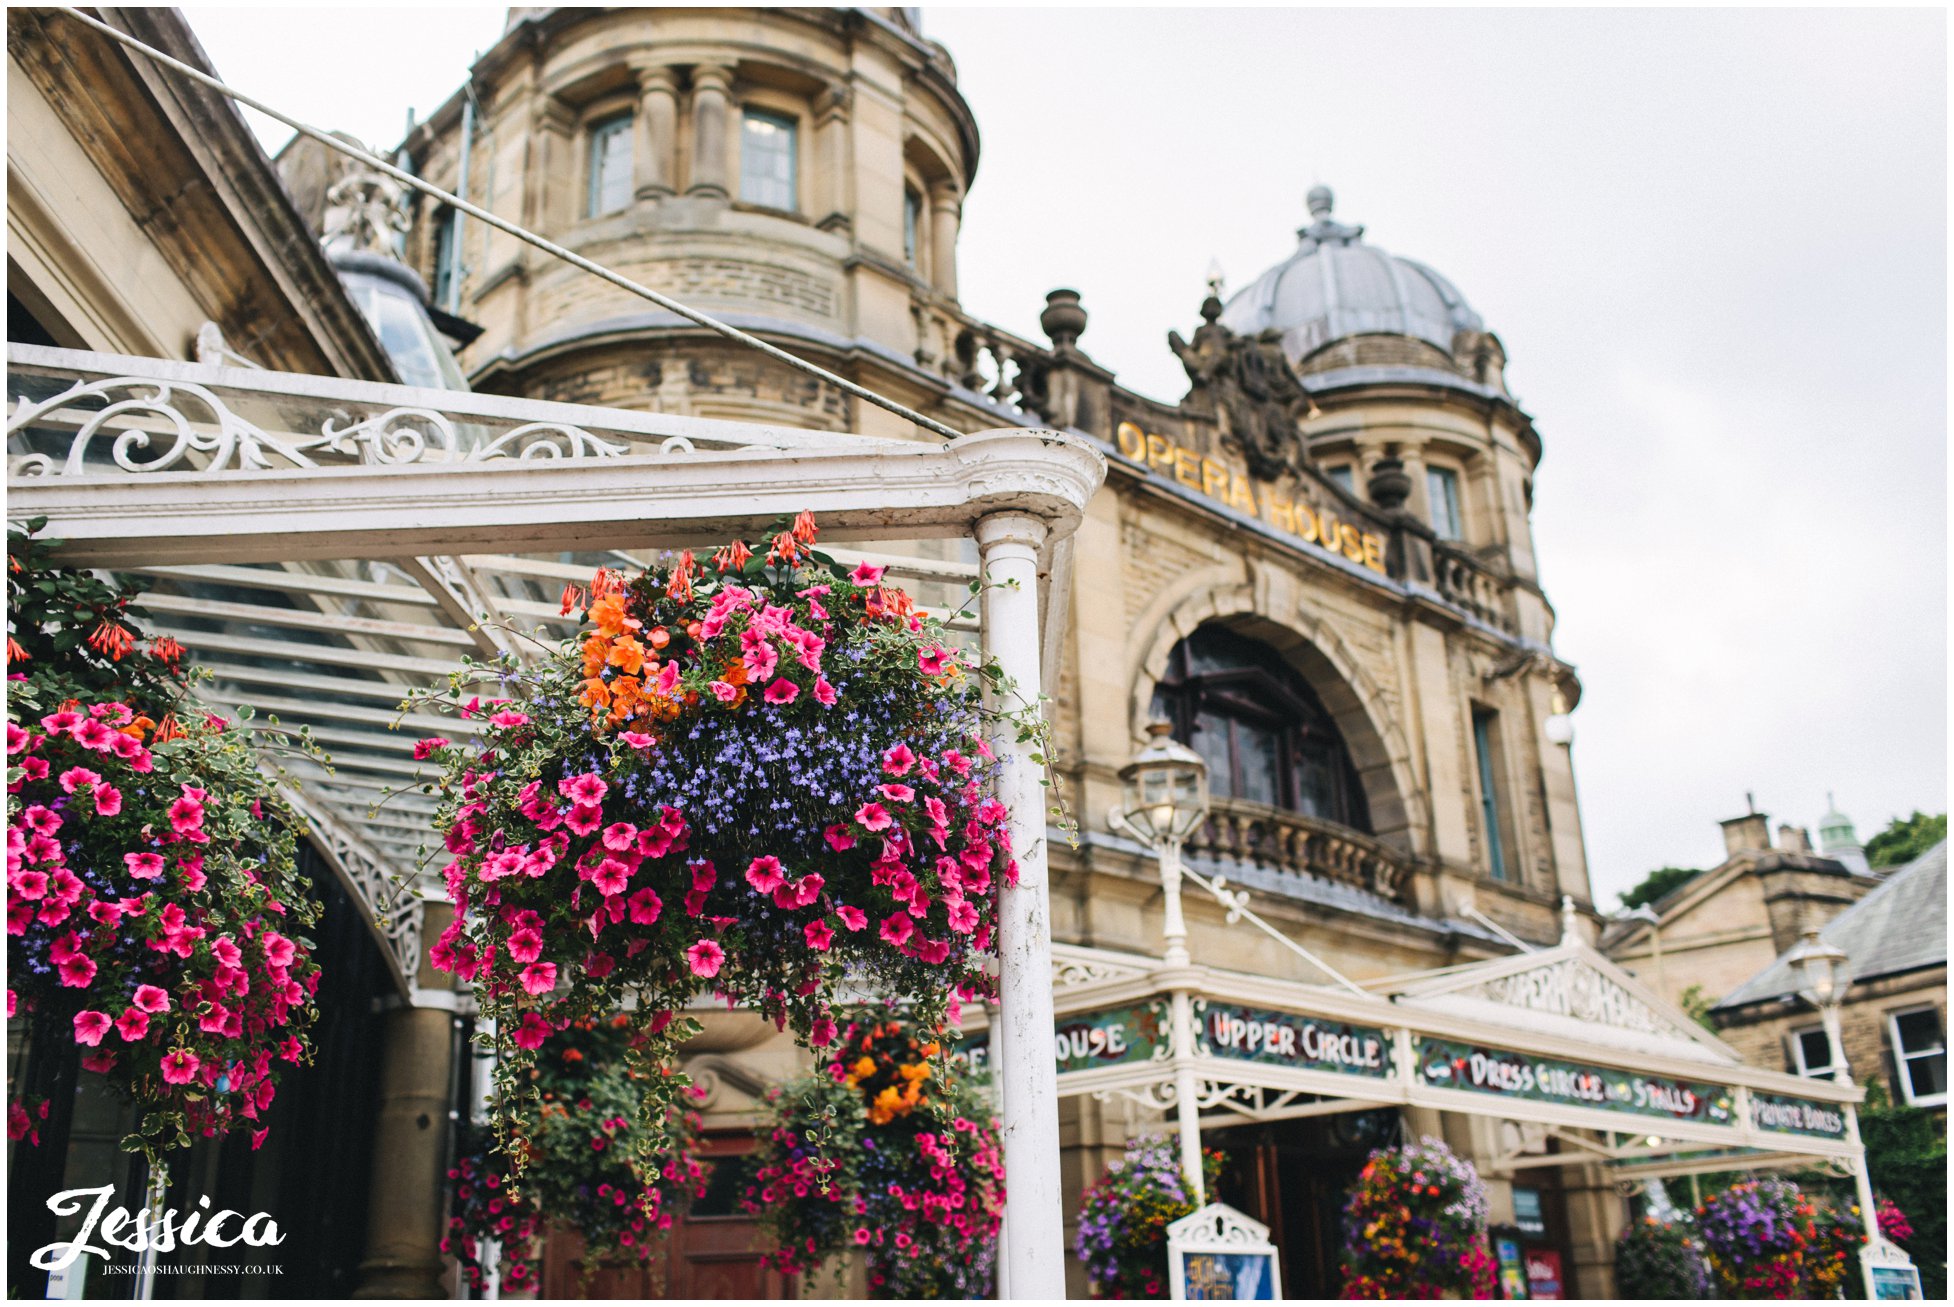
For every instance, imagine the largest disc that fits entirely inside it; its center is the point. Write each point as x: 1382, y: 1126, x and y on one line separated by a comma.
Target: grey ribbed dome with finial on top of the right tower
x: 1336, y: 286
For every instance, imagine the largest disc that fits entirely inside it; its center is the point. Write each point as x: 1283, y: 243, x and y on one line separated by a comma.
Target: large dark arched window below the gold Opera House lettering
x: 1261, y: 728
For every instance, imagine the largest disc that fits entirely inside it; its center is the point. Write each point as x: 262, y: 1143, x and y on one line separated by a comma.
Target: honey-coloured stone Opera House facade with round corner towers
x: 1318, y: 562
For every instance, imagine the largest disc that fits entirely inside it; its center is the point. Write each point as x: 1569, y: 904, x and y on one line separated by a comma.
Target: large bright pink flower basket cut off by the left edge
x: 155, y: 911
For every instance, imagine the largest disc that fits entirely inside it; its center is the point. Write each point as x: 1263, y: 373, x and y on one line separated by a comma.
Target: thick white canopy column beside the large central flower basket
x: 1035, y: 1224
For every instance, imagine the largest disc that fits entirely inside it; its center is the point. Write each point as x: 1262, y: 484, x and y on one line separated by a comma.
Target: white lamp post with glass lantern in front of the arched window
x: 1164, y: 796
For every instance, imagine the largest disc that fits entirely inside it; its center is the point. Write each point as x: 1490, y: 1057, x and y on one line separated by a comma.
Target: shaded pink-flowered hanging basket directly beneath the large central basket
x: 583, y: 1165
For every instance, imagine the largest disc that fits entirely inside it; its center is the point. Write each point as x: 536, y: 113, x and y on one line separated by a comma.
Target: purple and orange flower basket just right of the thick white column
x: 1125, y: 1218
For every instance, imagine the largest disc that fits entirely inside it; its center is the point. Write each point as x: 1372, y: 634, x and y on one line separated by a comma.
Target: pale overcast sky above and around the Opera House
x: 1715, y: 245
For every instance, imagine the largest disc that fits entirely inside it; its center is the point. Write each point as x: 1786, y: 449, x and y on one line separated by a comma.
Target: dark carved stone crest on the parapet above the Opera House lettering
x: 1250, y: 388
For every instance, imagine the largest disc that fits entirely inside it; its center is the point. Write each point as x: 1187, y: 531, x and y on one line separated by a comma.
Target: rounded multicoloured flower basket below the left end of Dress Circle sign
x: 1418, y: 1226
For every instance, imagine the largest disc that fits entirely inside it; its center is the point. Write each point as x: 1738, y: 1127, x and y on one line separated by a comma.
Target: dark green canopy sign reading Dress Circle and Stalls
x: 1478, y: 1070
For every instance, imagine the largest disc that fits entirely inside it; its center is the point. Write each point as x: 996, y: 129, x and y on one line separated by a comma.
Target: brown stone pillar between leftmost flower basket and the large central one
x: 407, y: 1201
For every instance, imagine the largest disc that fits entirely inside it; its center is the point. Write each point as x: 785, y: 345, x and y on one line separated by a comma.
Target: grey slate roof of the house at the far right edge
x: 1898, y: 927
